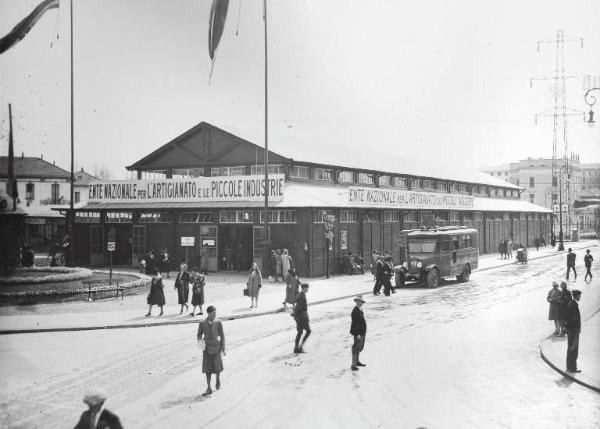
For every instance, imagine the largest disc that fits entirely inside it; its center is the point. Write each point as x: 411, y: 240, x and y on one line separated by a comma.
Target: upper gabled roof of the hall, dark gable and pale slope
x: 198, y: 145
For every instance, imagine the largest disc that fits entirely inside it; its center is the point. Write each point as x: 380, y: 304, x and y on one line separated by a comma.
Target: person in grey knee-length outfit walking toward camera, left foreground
x: 211, y: 338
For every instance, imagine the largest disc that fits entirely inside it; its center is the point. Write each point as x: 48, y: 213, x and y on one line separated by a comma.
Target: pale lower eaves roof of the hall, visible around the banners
x: 298, y: 195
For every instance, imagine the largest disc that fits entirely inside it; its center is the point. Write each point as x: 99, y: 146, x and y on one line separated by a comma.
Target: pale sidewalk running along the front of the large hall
x: 223, y: 290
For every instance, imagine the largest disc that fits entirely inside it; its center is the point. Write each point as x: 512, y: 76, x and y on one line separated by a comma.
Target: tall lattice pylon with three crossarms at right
x: 559, y: 113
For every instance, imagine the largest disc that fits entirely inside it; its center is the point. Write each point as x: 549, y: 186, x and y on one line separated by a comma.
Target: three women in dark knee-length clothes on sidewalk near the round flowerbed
x: 184, y: 278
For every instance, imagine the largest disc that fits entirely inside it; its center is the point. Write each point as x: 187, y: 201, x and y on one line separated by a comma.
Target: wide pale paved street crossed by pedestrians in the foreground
x: 462, y: 355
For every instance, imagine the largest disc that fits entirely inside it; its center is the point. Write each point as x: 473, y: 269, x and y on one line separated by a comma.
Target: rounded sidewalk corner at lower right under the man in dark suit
x: 554, y: 351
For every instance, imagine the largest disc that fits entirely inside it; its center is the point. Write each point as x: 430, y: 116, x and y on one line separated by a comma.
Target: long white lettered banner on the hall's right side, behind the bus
x: 404, y: 199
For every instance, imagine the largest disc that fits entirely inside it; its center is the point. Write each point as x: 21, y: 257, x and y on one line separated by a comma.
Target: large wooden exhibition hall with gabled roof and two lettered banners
x: 205, y: 188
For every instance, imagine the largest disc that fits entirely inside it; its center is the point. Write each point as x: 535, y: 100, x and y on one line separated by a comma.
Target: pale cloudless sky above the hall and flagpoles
x: 439, y: 80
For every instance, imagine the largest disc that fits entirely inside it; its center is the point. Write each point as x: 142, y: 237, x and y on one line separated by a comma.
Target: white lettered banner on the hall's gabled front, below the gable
x: 222, y: 188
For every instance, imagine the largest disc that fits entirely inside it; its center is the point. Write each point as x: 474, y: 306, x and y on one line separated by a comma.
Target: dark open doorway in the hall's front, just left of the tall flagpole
x: 235, y: 247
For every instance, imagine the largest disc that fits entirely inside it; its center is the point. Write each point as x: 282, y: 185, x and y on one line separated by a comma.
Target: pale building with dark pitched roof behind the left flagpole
x: 43, y: 188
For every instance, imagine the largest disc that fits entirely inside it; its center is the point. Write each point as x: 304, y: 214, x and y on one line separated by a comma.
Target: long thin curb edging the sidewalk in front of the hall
x: 241, y: 316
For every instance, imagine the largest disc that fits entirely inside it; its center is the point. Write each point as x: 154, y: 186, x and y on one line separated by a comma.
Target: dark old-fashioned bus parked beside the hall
x: 435, y: 253
